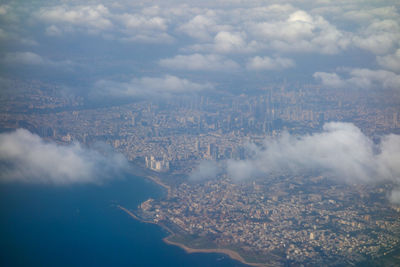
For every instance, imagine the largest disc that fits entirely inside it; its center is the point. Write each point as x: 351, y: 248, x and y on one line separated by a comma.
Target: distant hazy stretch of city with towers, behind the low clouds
x: 186, y: 130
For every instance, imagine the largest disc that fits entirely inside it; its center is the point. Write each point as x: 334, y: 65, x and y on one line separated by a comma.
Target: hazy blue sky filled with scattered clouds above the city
x: 129, y: 48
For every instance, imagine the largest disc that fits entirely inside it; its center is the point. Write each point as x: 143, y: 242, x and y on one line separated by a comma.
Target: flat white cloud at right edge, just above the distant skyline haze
x: 360, y: 78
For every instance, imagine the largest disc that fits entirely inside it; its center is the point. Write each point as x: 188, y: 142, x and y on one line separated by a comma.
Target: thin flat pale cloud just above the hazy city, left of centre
x: 165, y: 86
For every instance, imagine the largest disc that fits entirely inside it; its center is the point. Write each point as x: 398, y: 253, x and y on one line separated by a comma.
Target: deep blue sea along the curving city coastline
x: 79, y: 225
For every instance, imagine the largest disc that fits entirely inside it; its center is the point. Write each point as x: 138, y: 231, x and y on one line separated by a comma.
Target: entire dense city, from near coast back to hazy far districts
x: 285, y: 219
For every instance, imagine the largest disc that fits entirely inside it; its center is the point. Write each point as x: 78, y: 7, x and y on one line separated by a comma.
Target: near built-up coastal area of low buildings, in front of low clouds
x: 300, y: 220
